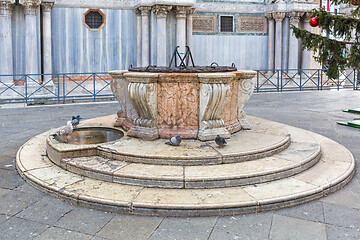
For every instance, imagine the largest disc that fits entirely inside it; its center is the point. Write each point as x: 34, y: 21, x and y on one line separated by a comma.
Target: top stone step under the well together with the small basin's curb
x: 265, y: 139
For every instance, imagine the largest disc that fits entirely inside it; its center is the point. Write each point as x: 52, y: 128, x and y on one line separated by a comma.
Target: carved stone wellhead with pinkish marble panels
x: 193, y: 105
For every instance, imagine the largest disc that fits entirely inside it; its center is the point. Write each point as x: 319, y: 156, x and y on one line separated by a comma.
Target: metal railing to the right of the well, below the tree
x: 303, y: 79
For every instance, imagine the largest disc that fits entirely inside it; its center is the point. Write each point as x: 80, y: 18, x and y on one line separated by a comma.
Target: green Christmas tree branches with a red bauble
x: 338, y: 44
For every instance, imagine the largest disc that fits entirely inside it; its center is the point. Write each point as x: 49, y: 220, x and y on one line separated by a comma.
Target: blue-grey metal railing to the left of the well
x: 57, y: 88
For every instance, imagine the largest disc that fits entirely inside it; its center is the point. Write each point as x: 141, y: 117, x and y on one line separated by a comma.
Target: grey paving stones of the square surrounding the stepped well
x: 26, y: 213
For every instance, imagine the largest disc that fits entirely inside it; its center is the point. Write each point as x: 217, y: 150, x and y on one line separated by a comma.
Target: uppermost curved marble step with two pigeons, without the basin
x: 243, y: 146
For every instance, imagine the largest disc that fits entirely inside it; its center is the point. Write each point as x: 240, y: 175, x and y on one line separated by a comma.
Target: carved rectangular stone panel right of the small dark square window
x: 247, y: 24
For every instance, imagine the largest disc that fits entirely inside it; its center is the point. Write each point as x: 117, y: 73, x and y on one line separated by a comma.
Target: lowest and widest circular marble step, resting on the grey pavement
x: 335, y: 168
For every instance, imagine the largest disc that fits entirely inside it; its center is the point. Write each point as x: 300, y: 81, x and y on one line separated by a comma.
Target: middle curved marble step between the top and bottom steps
x: 297, y: 158
